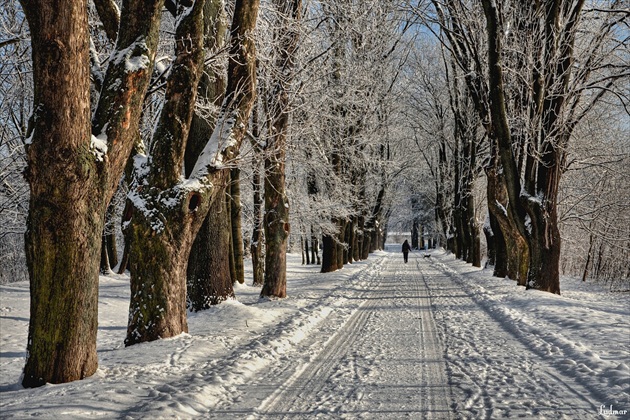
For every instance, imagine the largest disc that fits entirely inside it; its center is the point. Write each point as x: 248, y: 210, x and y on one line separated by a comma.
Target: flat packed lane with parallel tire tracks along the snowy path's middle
x: 407, y: 378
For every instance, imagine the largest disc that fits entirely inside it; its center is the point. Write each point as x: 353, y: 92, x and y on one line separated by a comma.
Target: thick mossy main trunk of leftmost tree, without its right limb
x: 66, y: 208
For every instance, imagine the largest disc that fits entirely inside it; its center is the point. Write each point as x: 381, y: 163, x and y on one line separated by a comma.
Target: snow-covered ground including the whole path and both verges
x: 434, y: 338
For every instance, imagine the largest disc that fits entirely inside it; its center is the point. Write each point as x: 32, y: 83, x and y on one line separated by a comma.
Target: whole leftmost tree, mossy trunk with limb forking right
x: 73, y: 171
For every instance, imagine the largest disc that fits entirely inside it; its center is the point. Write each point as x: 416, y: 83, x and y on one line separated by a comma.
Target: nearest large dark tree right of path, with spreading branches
x: 533, y: 157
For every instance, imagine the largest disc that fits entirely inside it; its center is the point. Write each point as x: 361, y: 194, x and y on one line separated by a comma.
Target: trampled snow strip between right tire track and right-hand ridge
x: 492, y: 365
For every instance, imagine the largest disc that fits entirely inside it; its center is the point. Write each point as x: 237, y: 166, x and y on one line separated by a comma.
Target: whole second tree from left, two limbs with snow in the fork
x: 168, y: 208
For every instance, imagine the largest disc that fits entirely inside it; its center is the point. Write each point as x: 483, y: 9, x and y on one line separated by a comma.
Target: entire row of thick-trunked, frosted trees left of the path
x: 147, y: 112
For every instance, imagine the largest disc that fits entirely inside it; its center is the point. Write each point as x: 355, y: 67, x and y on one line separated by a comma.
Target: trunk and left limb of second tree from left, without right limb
x: 165, y: 219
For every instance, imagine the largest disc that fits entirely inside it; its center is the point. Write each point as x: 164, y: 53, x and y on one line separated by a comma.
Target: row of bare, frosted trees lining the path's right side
x: 520, y: 81
